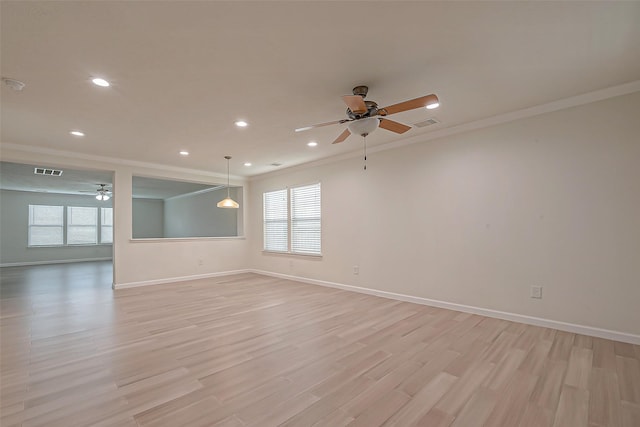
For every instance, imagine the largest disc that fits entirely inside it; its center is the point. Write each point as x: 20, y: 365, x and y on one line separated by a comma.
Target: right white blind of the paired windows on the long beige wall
x: 305, y: 219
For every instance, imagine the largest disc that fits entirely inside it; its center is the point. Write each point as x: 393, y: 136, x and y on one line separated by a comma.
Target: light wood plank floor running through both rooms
x: 250, y: 350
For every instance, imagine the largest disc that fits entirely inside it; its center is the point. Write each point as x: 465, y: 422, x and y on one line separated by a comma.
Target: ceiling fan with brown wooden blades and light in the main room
x: 365, y: 116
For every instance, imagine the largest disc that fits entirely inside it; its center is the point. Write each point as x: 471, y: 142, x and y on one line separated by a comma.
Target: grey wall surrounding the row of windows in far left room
x: 14, y: 228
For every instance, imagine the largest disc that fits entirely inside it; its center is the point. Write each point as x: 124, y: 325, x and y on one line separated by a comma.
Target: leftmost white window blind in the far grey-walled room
x: 46, y: 225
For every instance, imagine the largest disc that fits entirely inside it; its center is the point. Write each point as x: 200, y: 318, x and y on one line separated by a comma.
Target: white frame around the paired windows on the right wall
x: 290, y: 220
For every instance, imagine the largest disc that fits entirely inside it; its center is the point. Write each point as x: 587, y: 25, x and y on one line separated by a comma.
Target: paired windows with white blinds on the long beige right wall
x: 292, y: 220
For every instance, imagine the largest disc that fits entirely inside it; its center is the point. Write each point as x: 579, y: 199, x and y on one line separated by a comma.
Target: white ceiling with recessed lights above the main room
x: 183, y: 72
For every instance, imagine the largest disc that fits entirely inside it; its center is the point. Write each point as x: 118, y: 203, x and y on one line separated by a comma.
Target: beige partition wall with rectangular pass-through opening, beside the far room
x: 140, y: 262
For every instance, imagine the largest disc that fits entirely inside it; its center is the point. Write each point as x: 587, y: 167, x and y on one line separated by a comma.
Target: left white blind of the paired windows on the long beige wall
x: 276, y: 222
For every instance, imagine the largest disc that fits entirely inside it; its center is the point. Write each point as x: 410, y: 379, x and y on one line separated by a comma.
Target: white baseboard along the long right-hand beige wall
x: 520, y: 318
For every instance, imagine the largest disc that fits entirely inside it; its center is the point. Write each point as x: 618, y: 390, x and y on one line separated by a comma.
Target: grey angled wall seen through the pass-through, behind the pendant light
x: 196, y: 215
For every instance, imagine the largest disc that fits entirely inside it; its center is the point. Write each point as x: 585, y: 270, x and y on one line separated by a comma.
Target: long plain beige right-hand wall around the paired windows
x: 477, y: 218
